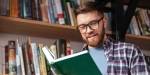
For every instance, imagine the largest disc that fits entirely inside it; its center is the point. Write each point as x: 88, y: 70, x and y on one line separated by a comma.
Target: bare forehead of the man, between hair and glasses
x: 85, y: 18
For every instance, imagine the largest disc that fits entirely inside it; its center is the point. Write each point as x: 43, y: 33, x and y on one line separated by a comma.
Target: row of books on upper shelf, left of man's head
x: 52, y: 11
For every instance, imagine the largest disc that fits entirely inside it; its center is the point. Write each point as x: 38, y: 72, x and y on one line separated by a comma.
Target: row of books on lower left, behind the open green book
x: 28, y: 58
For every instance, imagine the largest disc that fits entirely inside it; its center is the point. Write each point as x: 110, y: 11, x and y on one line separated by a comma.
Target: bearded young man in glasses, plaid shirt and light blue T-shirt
x: 111, y: 57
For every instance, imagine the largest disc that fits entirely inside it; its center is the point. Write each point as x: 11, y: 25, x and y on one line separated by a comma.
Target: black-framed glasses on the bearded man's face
x: 92, y: 25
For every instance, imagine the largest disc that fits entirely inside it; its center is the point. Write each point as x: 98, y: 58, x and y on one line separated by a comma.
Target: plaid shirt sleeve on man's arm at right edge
x: 138, y: 65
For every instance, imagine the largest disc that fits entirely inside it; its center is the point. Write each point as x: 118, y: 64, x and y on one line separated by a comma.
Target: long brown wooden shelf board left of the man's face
x: 37, y: 28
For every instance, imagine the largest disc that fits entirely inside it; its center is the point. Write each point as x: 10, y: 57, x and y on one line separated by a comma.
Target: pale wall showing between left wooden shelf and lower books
x: 4, y: 38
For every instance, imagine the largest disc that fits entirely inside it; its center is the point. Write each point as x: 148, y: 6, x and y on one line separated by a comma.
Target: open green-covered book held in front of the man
x: 76, y: 64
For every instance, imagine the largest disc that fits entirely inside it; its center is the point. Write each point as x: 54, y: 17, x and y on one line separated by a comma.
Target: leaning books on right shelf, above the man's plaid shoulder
x: 140, y: 23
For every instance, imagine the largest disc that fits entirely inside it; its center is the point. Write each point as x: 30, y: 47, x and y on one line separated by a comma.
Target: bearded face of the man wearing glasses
x: 92, y: 28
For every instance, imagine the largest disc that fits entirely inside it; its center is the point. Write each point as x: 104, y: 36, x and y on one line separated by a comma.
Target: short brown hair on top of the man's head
x: 89, y: 7
